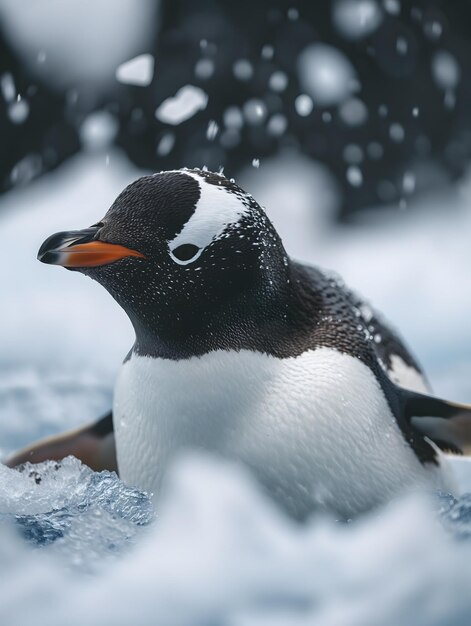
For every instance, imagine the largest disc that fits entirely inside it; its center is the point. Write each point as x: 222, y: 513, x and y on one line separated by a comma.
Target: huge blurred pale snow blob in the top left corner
x: 62, y: 44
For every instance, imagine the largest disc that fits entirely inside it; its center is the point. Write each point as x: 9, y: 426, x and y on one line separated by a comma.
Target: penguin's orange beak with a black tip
x: 80, y: 248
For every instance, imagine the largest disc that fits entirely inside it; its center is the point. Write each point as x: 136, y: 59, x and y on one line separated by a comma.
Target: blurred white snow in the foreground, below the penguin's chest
x: 220, y: 553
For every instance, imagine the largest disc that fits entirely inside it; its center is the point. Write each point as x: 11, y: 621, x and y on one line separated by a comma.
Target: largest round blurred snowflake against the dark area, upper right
x: 325, y: 74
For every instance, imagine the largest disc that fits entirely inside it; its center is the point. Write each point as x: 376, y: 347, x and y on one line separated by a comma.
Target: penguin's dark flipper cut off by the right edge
x: 447, y: 424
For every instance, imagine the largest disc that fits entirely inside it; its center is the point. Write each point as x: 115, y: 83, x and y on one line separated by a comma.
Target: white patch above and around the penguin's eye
x: 216, y: 209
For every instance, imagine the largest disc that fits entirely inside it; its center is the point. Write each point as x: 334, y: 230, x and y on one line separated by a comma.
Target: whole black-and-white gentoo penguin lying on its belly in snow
x: 247, y: 354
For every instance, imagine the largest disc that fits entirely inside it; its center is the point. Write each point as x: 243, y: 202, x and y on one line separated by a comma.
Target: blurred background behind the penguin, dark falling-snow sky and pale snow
x: 347, y: 119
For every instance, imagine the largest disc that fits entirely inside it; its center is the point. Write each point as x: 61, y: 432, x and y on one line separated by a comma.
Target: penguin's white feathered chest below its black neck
x: 316, y: 429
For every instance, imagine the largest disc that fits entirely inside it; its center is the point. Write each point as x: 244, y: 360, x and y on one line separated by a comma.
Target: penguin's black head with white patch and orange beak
x: 181, y: 251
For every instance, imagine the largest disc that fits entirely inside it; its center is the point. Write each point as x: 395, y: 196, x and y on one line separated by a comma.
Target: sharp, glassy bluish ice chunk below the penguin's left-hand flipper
x: 94, y: 515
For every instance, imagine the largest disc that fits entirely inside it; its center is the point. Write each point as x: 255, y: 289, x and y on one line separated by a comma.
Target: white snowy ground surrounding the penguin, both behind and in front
x: 217, y: 552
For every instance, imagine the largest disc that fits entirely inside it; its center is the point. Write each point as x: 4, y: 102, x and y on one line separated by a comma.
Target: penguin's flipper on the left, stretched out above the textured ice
x: 93, y: 444
